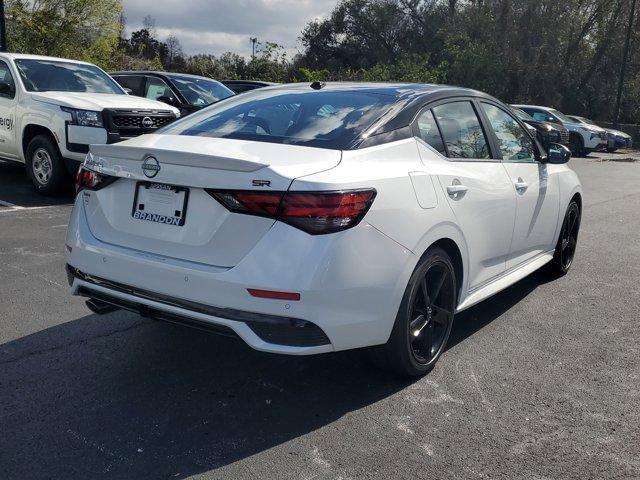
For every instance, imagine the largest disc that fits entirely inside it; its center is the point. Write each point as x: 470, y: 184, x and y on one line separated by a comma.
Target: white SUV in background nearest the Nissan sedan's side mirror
x: 583, y: 138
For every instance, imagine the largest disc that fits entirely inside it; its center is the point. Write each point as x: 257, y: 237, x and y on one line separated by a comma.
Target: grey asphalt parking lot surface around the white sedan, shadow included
x: 542, y: 381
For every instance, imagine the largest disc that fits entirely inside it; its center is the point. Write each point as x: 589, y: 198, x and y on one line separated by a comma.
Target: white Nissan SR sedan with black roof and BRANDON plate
x: 313, y: 218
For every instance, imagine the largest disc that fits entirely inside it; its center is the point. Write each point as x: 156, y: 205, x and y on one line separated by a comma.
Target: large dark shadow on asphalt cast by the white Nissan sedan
x: 116, y: 396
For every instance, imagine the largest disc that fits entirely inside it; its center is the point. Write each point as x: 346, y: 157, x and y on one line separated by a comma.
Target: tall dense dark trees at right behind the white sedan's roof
x: 517, y: 50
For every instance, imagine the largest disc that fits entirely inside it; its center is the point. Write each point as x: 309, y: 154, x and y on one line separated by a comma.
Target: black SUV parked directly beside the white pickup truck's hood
x: 189, y: 93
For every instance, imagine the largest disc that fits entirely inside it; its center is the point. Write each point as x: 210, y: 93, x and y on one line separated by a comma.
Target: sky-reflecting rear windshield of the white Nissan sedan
x: 325, y: 119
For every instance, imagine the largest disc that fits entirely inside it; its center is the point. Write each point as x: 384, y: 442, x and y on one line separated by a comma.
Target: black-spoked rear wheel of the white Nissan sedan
x: 424, y: 320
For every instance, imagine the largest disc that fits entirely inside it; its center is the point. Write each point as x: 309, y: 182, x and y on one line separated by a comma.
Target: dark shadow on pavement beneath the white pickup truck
x: 16, y: 188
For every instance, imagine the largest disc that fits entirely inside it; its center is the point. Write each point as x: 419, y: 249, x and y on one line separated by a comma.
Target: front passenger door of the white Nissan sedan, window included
x: 537, y: 192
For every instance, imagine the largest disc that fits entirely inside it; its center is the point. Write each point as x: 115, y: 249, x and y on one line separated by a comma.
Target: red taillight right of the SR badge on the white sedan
x: 313, y: 212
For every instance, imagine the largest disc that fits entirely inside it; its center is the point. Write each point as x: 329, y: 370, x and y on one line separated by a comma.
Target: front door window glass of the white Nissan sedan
x: 514, y: 143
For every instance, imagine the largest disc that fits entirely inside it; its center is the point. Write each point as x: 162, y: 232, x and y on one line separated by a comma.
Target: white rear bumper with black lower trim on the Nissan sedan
x: 350, y: 286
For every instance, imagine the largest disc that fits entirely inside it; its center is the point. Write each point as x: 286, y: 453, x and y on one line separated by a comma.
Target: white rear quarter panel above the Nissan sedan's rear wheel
x: 396, y: 211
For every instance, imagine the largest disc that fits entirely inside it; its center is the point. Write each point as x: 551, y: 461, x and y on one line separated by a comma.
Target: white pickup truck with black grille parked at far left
x: 52, y: 109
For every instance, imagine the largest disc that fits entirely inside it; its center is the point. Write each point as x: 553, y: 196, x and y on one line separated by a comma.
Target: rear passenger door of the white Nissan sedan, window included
x: 477, y: 187
